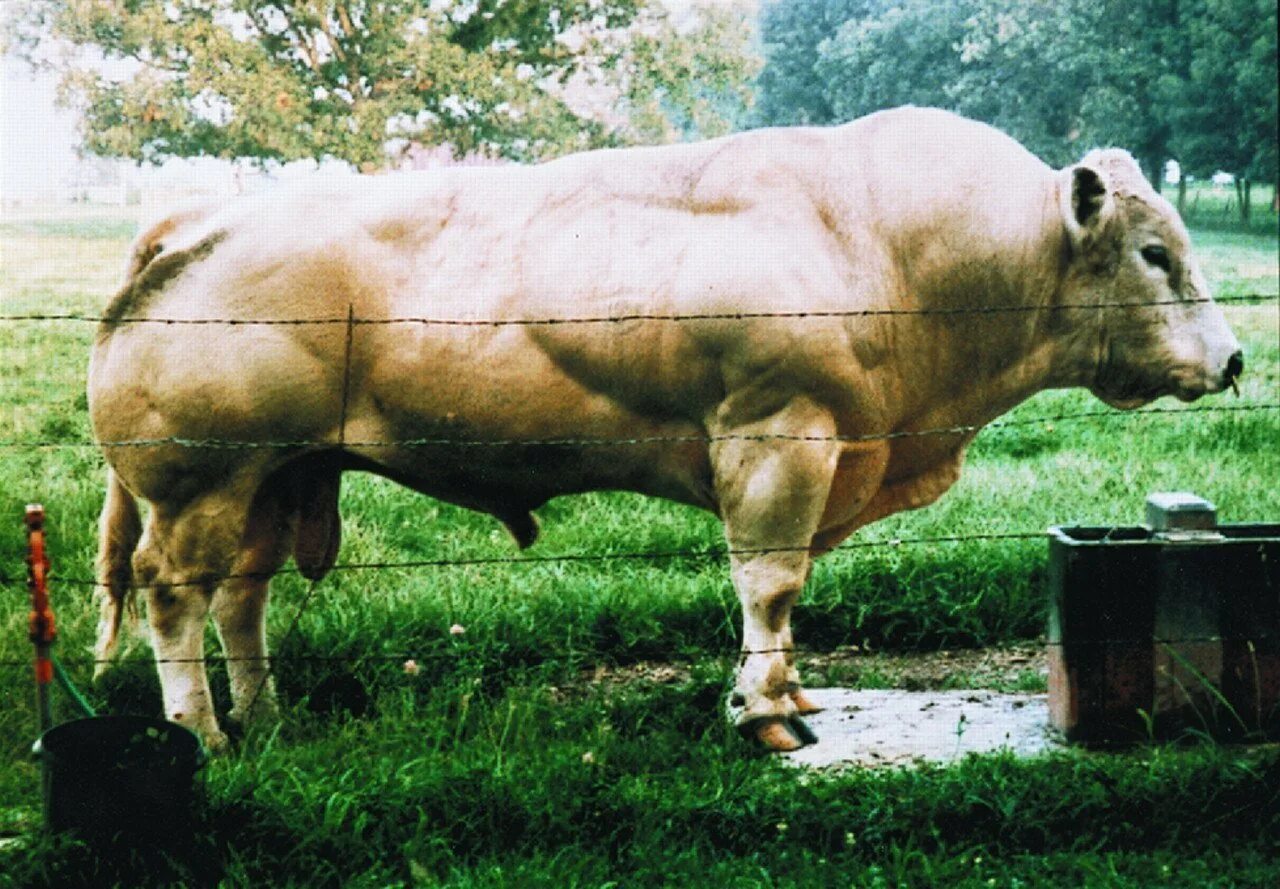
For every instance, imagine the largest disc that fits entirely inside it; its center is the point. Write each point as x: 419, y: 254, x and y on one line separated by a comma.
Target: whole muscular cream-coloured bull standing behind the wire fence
x: 753, y: 315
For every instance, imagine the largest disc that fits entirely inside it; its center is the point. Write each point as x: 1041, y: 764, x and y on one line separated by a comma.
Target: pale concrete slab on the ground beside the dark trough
x: 893, y: 728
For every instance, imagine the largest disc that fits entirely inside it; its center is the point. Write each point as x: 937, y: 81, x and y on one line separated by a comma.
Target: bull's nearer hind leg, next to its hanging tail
x: 184, y: 555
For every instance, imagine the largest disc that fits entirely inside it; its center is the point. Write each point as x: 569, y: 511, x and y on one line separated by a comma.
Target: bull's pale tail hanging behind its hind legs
x: 118, y: 531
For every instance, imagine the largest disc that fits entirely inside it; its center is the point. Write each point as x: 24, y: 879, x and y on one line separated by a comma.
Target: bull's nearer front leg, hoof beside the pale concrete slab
x: 772, y: 496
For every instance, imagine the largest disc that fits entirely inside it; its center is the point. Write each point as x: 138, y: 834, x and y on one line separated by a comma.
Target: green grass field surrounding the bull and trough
x: 476, y: 772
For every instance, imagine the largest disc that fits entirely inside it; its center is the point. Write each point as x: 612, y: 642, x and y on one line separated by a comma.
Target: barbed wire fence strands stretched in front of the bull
x: 353, y: 323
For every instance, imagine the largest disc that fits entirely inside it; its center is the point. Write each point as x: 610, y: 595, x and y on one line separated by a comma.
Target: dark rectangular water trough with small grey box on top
x: 1164, y: 630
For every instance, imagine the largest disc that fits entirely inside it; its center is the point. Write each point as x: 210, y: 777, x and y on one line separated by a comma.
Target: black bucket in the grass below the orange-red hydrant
x: 127, y: 777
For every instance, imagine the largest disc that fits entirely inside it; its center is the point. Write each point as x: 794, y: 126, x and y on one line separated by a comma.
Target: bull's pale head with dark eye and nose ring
x: 1155, y: 328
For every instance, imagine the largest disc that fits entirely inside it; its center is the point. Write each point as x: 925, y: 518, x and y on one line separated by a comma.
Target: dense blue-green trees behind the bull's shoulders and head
x: 1164, y: 79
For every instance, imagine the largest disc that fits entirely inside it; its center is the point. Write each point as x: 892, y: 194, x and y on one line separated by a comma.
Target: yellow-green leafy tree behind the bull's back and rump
x: 359, y: 80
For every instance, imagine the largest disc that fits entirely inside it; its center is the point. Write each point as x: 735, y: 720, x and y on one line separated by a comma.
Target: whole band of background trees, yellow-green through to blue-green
x: 371, y: 81
